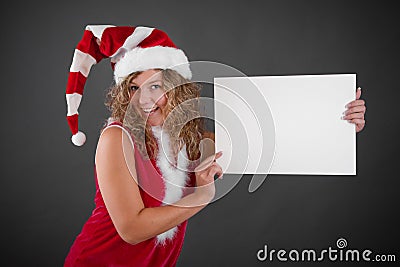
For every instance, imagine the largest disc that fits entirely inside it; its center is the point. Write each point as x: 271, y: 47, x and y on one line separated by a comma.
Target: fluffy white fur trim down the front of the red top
x: 175, y: 178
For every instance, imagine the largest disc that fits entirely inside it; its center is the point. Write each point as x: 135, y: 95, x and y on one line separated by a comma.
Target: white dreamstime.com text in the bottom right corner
x: 338, y: 253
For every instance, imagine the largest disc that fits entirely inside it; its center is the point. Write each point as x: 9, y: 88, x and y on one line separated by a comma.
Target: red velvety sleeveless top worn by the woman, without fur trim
x: 99, y: 244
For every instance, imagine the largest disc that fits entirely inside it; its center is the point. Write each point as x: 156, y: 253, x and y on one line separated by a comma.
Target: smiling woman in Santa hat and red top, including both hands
x: 148, y: 177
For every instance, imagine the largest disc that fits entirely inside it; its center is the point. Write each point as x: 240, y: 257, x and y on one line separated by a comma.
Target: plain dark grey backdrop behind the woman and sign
x: 47, y: 184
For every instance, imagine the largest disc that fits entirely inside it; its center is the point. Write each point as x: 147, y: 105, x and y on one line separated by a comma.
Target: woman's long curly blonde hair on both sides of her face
x: 184, y: 124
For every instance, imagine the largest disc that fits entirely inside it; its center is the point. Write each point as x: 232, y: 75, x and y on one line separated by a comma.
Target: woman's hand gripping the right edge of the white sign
x: 355, y: 112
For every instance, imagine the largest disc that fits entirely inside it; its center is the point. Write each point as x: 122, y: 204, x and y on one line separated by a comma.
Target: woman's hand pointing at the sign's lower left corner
x: 205, y: 174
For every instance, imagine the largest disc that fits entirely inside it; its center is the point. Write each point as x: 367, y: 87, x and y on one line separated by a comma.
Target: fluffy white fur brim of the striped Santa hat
x: 156, y: 57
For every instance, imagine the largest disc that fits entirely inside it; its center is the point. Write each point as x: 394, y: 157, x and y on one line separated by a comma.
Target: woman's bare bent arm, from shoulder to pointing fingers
x: 134, y: 222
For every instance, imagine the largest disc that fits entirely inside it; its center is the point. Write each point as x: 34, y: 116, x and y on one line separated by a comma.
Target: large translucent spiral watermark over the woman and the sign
x: 184, y: 111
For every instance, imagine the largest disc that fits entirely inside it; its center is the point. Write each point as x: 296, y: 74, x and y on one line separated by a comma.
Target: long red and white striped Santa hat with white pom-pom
x: 130, y: 49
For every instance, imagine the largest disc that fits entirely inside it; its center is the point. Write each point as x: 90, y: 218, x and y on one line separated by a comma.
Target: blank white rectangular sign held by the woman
x: 310, y: 137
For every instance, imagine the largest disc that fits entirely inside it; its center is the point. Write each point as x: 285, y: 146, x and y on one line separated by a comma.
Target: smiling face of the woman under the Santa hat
x: 149, y: 96
